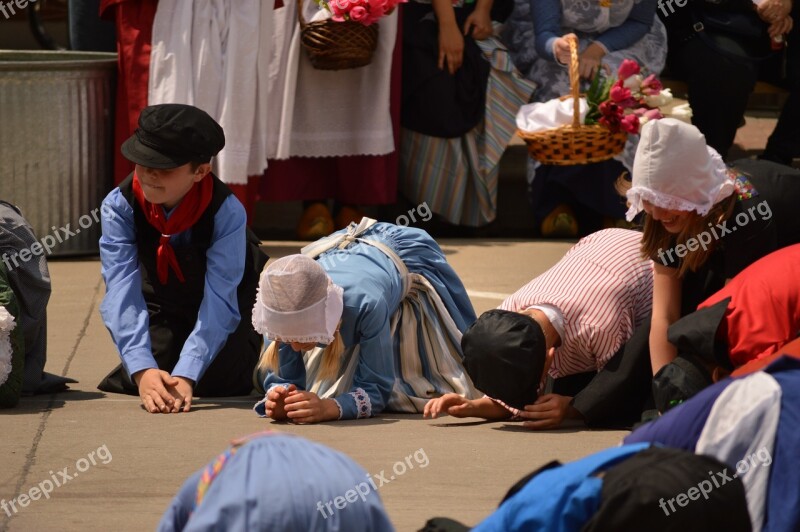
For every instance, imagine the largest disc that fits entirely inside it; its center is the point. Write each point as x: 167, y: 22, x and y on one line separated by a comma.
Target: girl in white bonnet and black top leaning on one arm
x: 704, y: 222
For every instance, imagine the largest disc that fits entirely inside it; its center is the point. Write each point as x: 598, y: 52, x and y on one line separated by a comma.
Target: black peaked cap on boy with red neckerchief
x: 171, y: 135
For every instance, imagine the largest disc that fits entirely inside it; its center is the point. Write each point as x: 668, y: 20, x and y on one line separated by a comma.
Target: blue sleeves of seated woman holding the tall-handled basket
x: 546, y: 16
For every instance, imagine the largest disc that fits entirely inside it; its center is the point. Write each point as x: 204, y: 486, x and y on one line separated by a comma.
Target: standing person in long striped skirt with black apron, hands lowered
x: 460, y: 97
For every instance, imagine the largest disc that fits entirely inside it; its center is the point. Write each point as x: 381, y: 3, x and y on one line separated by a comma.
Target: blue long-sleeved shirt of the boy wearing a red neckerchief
x: 124, y: 311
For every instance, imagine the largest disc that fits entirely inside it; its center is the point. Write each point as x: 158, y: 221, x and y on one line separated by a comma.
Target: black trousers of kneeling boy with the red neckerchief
x: 230, y: 373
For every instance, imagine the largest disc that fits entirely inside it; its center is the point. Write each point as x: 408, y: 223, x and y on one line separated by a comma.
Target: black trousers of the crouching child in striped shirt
x: 616, y: 396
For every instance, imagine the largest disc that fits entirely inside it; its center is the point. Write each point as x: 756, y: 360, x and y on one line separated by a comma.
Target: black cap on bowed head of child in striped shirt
x: 504, y: 355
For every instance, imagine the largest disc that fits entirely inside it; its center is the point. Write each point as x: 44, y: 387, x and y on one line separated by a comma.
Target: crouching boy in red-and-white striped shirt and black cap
x: 576, y: 323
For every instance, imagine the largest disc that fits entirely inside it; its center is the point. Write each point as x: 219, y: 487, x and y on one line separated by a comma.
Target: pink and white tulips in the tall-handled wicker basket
x: 627, y: 103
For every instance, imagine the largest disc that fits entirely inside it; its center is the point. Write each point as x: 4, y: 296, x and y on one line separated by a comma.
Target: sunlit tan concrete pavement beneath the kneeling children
x: 123, y: 465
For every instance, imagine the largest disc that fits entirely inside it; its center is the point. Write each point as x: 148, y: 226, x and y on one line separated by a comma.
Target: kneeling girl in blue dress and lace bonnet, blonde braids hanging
x: 373, y: 324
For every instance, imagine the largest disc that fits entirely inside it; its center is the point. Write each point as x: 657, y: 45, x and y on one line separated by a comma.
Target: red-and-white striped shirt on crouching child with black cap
x: 604, y: 289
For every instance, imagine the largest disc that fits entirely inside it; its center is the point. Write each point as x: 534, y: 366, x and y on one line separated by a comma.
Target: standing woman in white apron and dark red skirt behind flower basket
x: 333, y: 134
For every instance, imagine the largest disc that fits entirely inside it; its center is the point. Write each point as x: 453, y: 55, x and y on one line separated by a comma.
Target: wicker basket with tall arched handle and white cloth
x: 576, y: 143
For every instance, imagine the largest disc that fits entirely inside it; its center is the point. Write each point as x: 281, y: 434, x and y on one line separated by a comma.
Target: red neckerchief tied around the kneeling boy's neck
x: 186, y: 214
